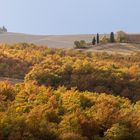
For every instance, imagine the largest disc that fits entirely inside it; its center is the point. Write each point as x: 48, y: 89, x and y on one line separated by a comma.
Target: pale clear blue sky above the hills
x: 51, y: 17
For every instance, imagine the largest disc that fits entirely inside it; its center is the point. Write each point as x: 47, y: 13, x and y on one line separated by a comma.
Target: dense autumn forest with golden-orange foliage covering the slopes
x: 68, y: 94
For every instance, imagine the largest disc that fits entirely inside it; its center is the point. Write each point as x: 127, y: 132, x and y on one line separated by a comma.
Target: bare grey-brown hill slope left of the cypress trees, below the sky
x: 53, y: 41
